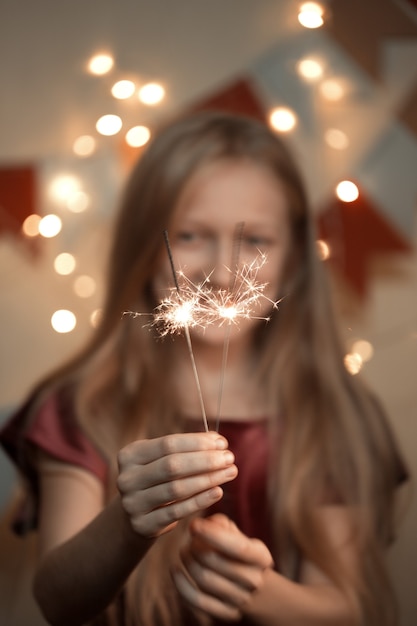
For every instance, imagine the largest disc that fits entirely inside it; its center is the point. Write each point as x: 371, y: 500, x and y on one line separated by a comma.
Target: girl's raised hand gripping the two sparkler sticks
x: 166, y: 479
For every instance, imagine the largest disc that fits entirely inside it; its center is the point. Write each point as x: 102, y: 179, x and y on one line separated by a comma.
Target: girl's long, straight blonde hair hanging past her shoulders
x: 336, y: 444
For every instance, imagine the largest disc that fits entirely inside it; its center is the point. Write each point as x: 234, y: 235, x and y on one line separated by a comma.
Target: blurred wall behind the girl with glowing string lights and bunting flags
x: 337, y: 78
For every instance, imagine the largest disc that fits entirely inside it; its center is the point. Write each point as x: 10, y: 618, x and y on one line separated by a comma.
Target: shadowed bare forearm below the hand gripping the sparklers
x: 80, y: 578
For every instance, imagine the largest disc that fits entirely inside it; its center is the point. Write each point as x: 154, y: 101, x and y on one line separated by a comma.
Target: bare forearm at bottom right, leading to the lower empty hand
x: 282, y: 602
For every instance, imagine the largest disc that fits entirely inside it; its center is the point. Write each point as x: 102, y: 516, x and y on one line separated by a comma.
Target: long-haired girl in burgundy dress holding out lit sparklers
x: 281, y: 517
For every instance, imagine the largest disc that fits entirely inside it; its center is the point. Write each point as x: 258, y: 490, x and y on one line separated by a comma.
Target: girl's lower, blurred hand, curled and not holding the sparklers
x: 222, y: 568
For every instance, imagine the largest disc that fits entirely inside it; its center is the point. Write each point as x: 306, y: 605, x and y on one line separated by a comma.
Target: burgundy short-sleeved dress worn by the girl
x: 55, y: 430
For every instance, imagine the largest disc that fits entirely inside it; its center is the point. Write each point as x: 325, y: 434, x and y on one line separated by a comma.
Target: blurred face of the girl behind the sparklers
x: 230, y: 225
